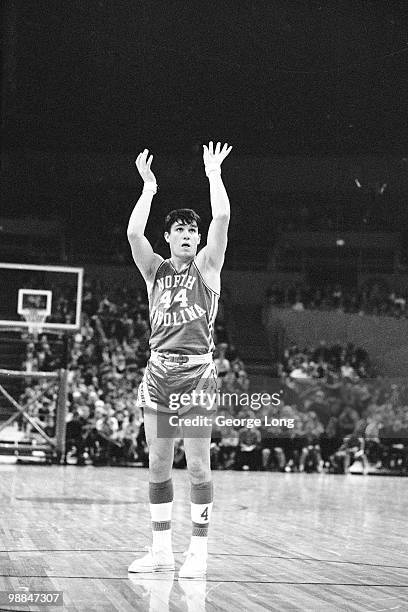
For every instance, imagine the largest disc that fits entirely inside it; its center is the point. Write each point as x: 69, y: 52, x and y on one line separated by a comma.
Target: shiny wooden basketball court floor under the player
x: 278, y: 541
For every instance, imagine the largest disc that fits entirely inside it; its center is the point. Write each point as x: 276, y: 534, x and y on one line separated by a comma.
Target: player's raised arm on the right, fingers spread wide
x: 214, y: 252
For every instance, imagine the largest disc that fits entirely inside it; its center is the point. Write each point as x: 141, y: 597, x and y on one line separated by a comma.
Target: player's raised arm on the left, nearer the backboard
x: 145, y: 258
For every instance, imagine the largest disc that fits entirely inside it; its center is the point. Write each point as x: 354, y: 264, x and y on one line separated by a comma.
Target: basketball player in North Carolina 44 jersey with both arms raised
x: 183, y: 297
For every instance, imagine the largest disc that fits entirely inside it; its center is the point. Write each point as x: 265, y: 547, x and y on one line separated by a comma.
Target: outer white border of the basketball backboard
x: 60, y: 326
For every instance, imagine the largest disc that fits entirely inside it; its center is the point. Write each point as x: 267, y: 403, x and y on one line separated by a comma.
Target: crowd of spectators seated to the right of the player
x: 332, y: 415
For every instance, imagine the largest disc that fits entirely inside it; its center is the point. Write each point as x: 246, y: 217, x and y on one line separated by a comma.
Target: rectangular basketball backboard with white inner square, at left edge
x: 56, y: 290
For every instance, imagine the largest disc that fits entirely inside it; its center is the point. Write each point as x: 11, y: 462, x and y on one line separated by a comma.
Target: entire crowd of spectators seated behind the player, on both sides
x: 340, y: 411
